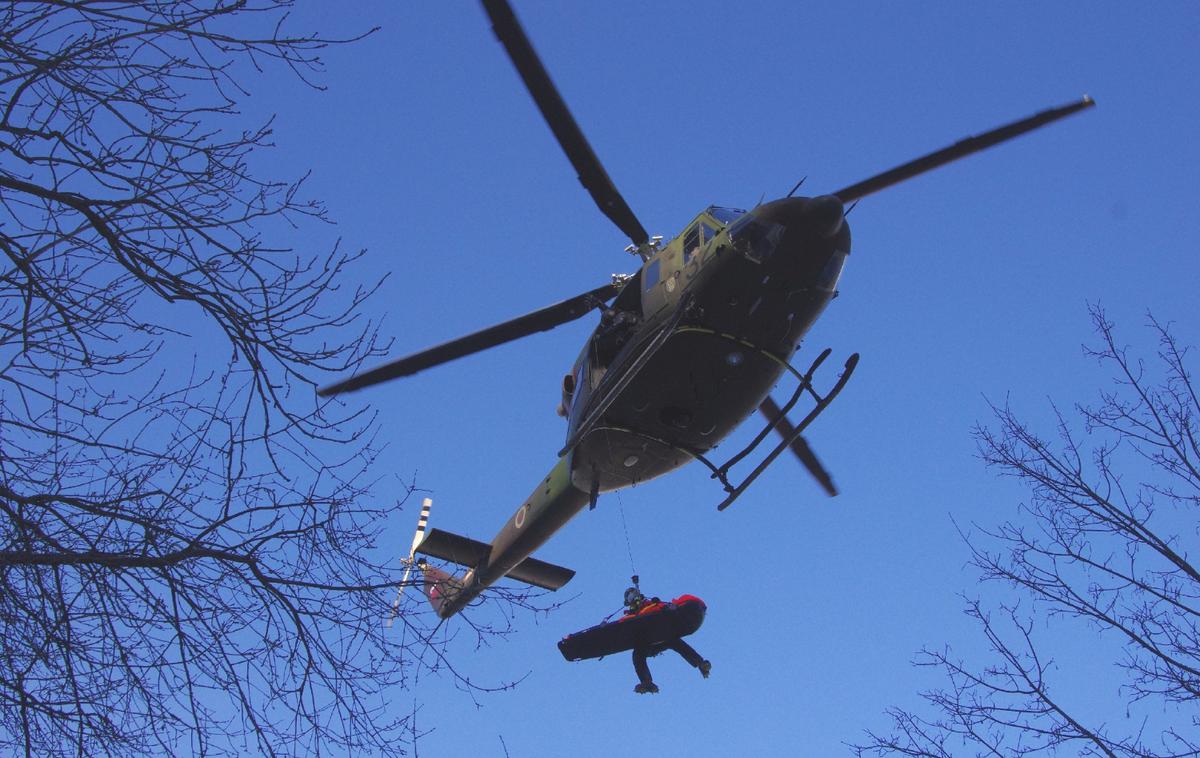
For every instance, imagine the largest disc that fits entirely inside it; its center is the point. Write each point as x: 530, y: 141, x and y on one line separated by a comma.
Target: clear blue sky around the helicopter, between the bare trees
x: 964, y: 285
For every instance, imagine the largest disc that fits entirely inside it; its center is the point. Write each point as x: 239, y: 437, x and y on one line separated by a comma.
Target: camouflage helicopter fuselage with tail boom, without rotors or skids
x: 713, y: 316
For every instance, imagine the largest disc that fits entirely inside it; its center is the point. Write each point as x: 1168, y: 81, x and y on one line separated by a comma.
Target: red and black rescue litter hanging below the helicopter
x: 656, y: 623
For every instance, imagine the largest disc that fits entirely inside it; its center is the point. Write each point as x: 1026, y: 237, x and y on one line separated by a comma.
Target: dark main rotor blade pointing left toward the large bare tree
x: 523, y: 327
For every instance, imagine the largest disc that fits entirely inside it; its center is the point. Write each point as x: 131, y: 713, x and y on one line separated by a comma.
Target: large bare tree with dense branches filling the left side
x: 188, y: 556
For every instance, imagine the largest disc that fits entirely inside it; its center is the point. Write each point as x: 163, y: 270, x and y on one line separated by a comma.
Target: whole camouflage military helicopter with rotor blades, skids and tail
x: 687, y: 348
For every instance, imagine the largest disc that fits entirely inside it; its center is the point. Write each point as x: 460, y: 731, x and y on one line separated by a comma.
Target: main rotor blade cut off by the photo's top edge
x: 591, y: 172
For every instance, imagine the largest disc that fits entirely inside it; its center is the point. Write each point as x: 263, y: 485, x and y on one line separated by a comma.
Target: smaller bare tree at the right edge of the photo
x: 1101, y: 546
